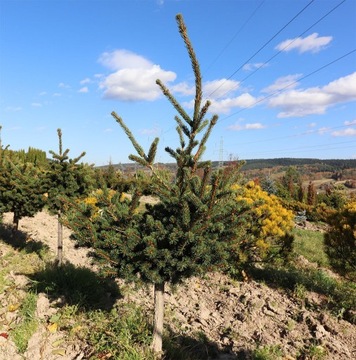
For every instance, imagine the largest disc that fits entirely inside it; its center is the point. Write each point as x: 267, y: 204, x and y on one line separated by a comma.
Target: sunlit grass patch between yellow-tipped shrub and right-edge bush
x: 310, y: 244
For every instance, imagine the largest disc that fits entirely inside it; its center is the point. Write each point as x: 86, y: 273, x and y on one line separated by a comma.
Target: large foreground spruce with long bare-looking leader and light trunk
x: 188, y: 232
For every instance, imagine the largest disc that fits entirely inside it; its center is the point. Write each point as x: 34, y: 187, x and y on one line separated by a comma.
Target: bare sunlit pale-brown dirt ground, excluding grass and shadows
x: 236, y: 317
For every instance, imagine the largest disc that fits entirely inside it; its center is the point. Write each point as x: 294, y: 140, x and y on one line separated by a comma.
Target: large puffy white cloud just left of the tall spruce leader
x: 134, y: 77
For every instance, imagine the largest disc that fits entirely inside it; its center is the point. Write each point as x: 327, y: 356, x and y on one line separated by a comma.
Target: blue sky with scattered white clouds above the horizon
x: 283, y: 85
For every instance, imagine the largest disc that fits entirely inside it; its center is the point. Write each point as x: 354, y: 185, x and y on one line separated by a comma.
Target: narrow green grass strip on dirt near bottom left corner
x: 28, y: 324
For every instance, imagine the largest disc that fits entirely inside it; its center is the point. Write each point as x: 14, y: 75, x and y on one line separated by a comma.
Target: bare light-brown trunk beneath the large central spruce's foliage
x: 158, y: 318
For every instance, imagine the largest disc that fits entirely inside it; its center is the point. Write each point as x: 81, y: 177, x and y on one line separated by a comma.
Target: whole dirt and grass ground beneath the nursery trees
x: 302, y: 311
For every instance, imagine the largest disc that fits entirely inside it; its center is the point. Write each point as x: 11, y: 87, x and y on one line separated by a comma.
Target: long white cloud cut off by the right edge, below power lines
x: 316, y: 100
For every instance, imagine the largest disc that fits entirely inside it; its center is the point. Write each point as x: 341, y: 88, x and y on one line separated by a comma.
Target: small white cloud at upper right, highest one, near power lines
x: 312, y: 43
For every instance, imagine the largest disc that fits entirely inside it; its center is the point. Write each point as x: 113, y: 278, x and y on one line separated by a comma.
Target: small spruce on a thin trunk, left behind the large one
x: 66, y: 179
